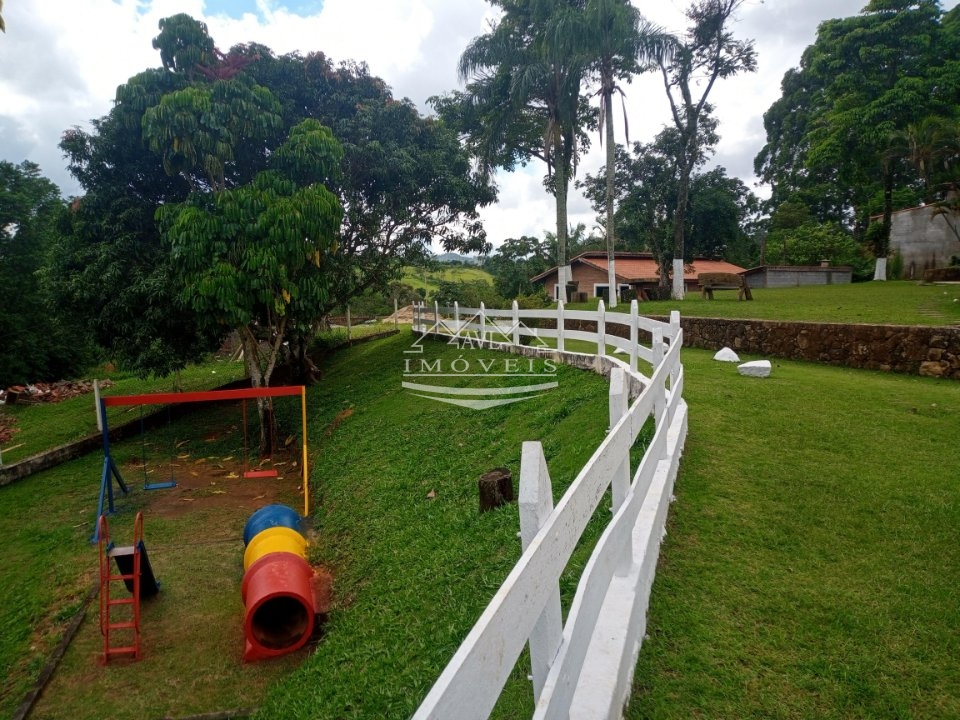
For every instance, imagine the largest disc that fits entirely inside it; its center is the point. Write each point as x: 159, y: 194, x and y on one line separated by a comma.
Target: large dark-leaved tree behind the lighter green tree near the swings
x: 208, y: 123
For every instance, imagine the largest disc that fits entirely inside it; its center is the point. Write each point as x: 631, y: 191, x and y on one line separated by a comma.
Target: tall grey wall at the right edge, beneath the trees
x: 924, y: 240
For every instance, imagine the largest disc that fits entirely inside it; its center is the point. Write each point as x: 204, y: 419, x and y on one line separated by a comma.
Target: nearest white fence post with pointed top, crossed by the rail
x: 536, y: 504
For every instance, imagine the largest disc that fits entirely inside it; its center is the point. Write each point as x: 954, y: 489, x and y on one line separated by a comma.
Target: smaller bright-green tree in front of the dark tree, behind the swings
x: 250, y: 257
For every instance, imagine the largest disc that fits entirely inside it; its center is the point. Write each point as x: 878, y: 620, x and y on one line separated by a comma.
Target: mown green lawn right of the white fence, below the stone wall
x: 811, y: 565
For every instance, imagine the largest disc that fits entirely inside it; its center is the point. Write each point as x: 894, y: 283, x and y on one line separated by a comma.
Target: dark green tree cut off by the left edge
x: 37, y: 344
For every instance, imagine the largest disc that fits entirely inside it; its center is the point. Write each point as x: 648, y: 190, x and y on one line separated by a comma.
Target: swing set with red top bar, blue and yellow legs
x: 111, y: 472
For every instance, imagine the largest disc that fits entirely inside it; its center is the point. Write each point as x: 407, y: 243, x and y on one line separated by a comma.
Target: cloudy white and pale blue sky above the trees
x: 62, y: 60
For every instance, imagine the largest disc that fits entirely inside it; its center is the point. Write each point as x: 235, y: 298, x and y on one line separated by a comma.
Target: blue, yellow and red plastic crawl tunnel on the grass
x: 277, y: 588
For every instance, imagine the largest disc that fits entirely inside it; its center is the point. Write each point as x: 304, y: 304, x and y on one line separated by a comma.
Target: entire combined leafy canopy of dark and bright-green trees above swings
x: 245, y: 152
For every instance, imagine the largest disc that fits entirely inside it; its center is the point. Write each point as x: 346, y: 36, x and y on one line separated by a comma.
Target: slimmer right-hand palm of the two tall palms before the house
x: 621, y: 43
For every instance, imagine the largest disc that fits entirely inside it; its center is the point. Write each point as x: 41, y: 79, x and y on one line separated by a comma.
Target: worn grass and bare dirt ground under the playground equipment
x: 209, y: 482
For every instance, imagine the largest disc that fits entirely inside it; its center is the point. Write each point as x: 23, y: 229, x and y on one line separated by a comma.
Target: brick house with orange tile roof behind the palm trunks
x: 636, y: 274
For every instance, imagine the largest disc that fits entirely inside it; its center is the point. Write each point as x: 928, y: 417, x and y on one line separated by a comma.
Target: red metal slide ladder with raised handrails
x: 128, y: 625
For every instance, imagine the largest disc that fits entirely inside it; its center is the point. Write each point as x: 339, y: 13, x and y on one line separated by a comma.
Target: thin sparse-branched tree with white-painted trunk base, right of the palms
x: 707, y: 52
